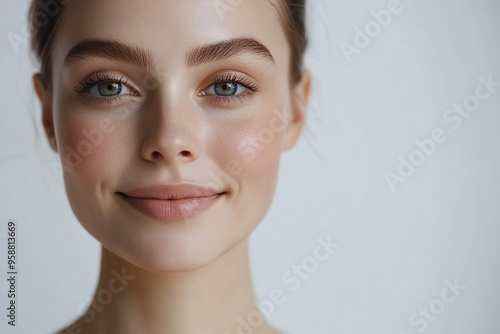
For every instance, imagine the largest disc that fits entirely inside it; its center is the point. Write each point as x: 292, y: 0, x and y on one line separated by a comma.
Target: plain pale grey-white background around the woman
x: 396, y: 247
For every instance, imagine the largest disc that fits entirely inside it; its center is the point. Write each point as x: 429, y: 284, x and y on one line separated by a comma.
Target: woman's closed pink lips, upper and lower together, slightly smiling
x: 174, y: 202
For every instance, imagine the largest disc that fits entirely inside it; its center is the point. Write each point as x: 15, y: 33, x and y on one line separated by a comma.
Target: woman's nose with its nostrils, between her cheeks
x: 171, y: 132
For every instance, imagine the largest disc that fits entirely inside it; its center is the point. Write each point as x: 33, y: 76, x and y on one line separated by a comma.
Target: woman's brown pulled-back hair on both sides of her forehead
x: 44, y: 18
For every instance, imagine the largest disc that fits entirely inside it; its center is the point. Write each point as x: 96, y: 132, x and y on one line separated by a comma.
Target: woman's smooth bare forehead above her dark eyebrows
x: 168, y: 28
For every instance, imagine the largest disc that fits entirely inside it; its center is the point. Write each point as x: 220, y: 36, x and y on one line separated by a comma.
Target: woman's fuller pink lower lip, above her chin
x: 172, y: 210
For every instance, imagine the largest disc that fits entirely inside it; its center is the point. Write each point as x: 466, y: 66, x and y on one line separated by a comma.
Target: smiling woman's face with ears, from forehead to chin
x: 189, y: 91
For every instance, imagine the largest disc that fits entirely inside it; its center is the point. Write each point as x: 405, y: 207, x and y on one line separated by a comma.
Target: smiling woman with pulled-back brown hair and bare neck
x: 170, y: 118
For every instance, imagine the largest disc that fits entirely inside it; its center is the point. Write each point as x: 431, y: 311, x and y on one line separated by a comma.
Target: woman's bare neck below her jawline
x: 212, y: 299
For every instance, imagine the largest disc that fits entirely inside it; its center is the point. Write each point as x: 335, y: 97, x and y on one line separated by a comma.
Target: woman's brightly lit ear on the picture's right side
x: 300, y: 98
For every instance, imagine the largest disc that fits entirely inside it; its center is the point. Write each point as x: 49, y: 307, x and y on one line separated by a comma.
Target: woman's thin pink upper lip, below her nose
x: 172, y: 191
